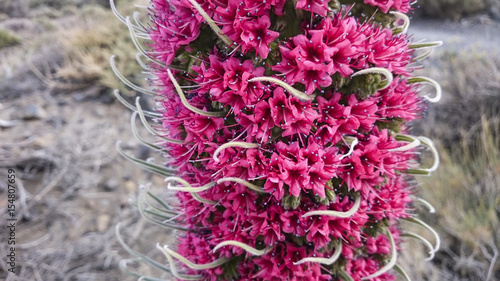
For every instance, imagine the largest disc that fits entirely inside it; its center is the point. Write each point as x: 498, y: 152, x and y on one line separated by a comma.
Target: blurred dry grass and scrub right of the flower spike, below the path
x: 466, y: 188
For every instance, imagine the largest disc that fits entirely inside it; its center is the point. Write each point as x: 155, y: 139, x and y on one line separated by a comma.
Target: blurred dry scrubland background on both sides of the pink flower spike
x: 59, y: 122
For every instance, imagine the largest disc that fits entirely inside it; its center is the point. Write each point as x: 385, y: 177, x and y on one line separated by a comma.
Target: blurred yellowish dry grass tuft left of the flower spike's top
x: 89, y: 46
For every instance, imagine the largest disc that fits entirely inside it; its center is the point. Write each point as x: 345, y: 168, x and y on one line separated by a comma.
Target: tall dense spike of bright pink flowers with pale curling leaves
x: 286, y: 124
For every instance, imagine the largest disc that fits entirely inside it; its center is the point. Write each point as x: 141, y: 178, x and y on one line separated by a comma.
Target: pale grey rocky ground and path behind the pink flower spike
x: 72, y: 187
